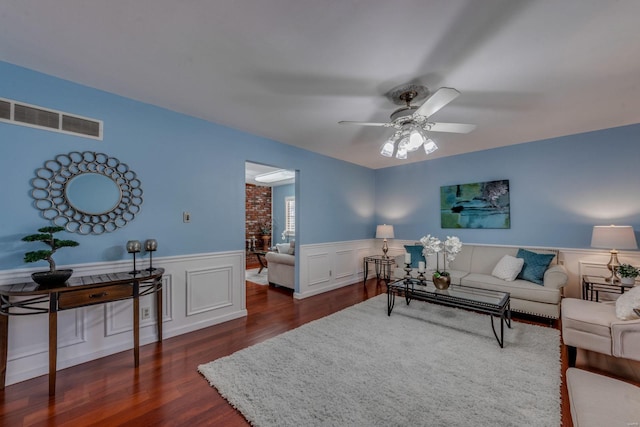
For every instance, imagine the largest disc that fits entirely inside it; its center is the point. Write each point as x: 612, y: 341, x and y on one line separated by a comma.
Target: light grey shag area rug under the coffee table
x: 425, y: 365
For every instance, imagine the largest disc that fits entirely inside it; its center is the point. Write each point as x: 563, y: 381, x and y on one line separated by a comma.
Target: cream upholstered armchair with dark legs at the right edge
x: 594, y: 326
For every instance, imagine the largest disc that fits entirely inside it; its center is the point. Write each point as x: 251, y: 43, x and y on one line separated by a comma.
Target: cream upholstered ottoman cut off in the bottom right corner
x: 598, y: 401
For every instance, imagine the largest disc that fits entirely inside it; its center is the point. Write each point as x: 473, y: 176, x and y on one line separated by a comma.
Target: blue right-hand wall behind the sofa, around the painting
x: 559, y: 189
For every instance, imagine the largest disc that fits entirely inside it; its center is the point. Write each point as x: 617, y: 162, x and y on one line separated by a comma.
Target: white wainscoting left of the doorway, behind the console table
x: 198, y: 291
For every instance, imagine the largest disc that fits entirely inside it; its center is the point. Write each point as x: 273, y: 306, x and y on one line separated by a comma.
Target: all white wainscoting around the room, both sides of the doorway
x: 204, y: 290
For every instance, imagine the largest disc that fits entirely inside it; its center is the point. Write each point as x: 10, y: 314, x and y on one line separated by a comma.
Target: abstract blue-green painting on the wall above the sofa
x: 477, y: 205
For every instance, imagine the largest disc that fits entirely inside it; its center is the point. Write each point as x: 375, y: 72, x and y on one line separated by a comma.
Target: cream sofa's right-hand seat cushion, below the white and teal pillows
x: 520, y: 289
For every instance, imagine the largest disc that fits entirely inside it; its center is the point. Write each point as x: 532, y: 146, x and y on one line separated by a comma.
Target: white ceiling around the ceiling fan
x: 289, y: 70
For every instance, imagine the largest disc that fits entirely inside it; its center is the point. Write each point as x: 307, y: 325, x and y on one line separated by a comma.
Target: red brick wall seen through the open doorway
x: 258, y: 211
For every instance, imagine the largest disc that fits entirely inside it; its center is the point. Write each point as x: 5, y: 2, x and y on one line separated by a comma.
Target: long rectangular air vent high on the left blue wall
x: 19, y: 113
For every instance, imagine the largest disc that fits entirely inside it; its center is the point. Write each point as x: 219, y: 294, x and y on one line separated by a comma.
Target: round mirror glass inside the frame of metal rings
x: 93, y: 193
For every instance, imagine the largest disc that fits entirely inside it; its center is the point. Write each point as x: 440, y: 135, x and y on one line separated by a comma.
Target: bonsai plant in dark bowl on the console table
x: 45, y: 235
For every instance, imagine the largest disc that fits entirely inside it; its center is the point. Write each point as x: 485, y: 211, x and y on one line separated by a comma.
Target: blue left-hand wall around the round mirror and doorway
x: 184, y: 163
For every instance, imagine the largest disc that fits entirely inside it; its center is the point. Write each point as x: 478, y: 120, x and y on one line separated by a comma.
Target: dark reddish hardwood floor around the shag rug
x: 167, y: 389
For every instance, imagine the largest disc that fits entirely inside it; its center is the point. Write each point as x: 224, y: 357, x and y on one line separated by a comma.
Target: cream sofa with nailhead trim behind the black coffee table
x: 474, y: 265
